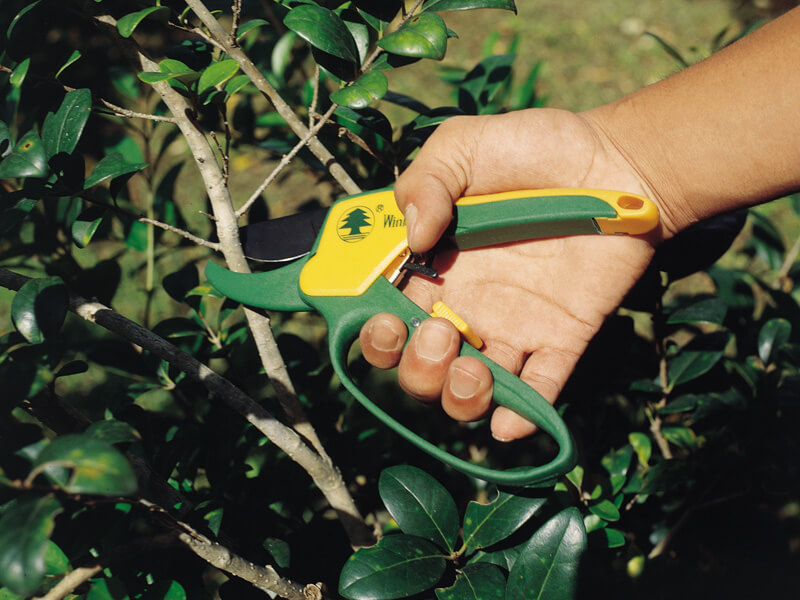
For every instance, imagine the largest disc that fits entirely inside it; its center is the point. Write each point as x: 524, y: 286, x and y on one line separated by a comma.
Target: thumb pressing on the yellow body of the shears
x: 438, y: 176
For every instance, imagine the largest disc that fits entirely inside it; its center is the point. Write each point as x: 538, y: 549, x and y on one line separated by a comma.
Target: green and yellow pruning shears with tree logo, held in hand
x: 346, y: 263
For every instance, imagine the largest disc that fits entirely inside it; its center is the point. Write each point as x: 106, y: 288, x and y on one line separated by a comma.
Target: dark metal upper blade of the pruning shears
x: 282, y: 239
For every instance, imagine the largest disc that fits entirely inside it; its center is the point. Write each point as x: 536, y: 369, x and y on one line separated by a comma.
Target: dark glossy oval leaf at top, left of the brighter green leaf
x: 323, y: 29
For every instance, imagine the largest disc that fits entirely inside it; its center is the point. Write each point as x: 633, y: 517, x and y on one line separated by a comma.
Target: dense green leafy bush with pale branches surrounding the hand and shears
x: 177, y: 446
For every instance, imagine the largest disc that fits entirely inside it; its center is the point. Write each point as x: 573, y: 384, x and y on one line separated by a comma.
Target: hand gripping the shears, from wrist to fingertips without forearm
x: 535, y: 304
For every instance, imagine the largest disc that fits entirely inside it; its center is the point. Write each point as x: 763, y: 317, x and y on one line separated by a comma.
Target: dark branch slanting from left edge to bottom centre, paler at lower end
x: 325, y: 476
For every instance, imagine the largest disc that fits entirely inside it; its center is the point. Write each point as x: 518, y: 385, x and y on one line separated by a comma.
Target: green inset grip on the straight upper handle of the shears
x: 490, y: 223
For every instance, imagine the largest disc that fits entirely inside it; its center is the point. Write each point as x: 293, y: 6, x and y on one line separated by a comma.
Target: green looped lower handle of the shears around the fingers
x: 346, y: 316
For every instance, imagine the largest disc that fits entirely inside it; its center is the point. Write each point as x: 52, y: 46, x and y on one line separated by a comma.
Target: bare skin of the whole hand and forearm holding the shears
x: 719, y: 135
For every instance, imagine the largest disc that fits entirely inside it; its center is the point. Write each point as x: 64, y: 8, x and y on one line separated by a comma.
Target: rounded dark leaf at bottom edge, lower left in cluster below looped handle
x: 397, y: 567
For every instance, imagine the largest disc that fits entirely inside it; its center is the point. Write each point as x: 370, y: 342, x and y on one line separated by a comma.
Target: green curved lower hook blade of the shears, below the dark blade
x: 273, y: 290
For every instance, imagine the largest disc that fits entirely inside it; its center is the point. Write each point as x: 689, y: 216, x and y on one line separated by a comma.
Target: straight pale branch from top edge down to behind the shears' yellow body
x: 219, y: 33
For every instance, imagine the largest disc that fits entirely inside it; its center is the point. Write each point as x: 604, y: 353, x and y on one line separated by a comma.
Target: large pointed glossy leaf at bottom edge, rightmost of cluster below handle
x: 547, y: 568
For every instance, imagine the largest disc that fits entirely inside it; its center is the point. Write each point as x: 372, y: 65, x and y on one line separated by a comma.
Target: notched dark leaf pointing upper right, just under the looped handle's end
x: 487, y: 524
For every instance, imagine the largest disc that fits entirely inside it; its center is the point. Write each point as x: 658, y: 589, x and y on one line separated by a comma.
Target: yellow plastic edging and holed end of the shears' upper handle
x: 636, y: 214
